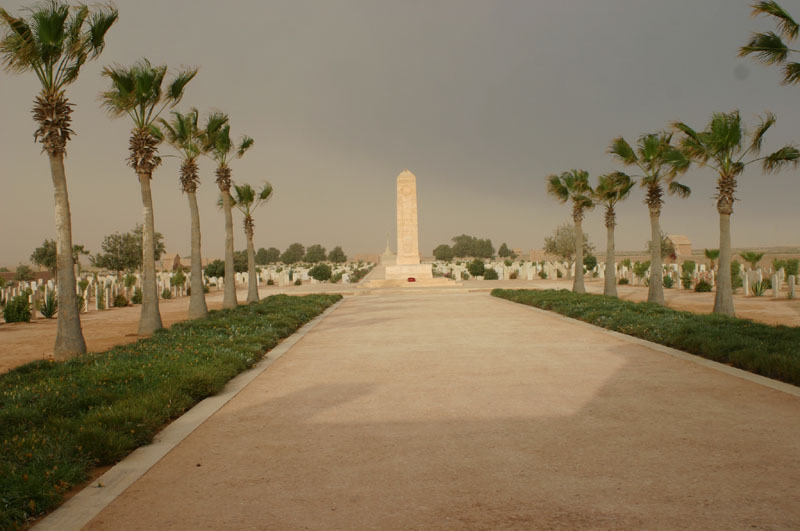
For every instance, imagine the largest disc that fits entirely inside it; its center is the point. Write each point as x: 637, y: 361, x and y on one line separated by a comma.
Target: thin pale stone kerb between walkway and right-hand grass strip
x: 699, y: 360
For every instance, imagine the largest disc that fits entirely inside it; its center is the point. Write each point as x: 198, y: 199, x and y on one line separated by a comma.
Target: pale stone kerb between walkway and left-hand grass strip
x: 76, y: 512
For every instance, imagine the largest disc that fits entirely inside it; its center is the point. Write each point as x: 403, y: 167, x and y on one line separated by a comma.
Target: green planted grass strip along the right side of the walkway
x: 771, y: 351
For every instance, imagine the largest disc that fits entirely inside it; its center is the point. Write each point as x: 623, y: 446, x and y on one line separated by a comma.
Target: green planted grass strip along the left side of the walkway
x: 58, y: 420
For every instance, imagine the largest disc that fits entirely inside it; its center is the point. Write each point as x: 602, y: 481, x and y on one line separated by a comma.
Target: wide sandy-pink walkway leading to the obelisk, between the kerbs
x: 461, y: 411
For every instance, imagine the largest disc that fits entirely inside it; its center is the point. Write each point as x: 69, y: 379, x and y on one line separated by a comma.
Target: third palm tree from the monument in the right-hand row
x: 660, y: 164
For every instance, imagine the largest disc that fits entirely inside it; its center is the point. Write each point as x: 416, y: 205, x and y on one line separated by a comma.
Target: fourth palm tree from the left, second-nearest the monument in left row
x: 218, y: 145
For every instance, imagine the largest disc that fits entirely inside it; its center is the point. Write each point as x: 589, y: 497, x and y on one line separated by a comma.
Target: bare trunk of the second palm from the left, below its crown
x: 150, y: 318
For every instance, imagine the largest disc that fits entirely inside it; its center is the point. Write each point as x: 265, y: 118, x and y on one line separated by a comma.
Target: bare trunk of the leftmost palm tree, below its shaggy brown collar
x: 69, y: 336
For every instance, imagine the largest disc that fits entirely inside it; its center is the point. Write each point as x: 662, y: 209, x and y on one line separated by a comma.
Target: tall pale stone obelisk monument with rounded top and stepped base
x: 408, y: 264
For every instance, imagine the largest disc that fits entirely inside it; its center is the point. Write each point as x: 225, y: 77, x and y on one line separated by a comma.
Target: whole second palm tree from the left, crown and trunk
x: 137, y: 91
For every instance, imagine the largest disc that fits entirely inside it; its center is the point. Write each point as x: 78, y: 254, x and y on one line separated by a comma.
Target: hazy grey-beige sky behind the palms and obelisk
x: 480, y: 99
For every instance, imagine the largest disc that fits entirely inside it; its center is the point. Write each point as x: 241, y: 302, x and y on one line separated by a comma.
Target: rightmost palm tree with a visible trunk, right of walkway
x: 721, y: 147
